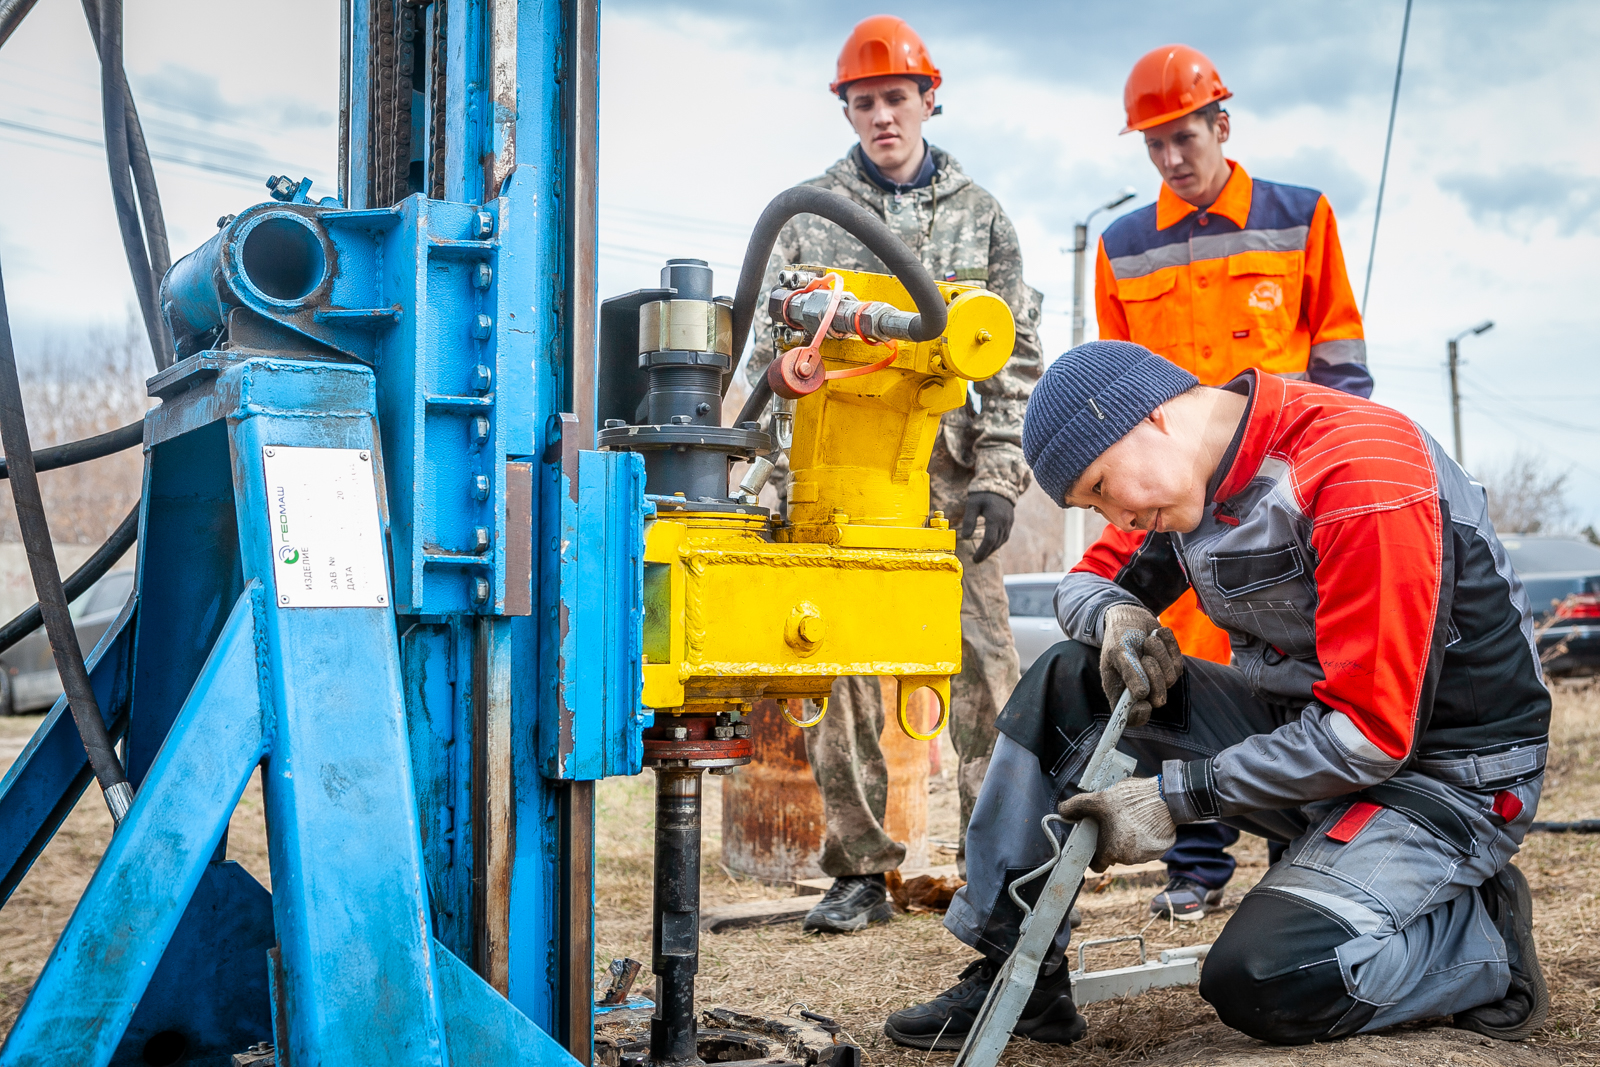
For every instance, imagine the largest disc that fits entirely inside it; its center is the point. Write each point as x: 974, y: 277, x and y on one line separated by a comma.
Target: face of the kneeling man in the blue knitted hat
x: 1145, y: 482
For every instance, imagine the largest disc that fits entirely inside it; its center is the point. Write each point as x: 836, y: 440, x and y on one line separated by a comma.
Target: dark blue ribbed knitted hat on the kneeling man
x: 1087, y: 402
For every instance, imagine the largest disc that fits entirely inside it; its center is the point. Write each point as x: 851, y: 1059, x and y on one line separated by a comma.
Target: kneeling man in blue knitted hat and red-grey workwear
x: 1385, y: 714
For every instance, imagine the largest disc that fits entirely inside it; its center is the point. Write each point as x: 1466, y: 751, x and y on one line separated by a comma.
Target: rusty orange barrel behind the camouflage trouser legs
x: 772, y: 812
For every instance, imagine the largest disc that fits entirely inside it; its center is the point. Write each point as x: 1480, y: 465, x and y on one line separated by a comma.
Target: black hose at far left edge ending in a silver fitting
x: 47, y: 581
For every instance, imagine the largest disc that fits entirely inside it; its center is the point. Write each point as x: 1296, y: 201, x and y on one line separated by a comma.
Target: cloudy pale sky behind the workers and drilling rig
x: 713, y: 106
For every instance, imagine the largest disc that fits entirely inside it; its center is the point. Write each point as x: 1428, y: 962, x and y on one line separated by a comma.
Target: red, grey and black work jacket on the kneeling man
x: 1356, y: 572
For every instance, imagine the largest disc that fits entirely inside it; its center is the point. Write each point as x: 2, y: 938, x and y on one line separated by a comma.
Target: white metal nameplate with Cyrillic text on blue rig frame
x: 327, y: 540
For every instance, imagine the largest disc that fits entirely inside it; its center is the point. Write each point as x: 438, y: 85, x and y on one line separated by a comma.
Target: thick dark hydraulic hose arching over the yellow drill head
x: 857, y: 222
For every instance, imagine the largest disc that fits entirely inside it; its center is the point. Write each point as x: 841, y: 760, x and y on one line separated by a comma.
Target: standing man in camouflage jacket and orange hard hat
x: 961, y: 233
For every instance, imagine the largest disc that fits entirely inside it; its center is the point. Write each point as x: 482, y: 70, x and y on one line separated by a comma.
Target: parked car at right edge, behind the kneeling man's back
x: 1562, y: 577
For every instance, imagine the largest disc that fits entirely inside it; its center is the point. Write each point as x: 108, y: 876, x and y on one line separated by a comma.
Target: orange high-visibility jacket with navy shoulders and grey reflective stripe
x: 1254, y: 281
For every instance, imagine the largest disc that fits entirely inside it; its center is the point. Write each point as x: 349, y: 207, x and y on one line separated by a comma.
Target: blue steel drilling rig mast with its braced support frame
x: 369, y: 513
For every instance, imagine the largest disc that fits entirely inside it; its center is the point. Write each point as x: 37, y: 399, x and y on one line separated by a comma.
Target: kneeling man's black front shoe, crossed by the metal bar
x: 943, y: 1023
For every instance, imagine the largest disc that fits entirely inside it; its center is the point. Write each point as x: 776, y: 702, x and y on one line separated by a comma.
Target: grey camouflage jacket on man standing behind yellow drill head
x: 962, y: 236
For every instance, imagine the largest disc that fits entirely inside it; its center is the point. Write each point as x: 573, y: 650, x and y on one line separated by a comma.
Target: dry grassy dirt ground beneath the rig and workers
x: 865, y: 977
